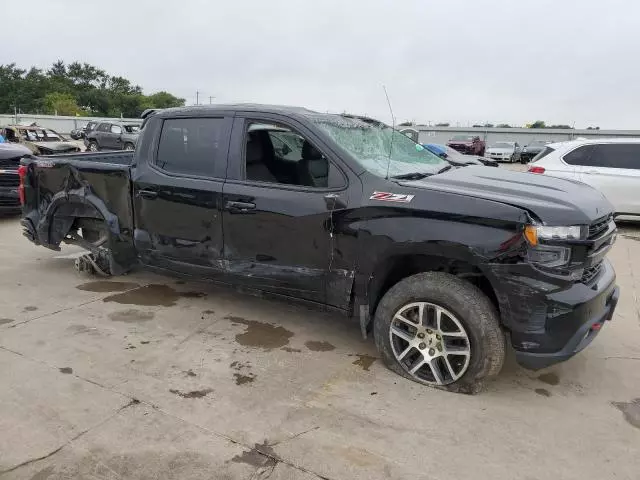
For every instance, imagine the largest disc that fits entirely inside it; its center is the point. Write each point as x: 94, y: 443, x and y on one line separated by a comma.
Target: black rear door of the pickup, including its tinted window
x: 177, y: 193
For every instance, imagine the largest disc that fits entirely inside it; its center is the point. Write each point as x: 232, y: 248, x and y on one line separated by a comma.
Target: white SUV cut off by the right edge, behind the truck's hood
x: 609, y: 165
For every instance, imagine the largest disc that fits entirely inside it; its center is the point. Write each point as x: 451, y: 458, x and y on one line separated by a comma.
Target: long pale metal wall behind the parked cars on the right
x: 523, y: 136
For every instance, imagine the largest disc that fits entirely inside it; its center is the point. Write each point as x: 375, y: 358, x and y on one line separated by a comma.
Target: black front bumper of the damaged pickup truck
x: 548, y: 324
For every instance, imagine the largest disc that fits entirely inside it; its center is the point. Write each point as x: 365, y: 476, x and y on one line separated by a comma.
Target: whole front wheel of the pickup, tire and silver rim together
x: 439, y: 330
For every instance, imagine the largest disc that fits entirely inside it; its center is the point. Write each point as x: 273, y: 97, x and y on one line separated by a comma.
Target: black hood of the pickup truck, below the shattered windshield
x: 554, y: 201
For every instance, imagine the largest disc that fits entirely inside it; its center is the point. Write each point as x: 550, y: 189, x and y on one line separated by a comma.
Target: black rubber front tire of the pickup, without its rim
x: 472, y: 308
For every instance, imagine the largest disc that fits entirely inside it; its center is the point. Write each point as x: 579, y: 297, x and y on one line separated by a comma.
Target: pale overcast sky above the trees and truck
x: 562, y: 61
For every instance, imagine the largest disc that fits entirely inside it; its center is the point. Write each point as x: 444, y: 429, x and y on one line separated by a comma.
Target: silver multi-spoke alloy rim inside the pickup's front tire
x: 430, y: 343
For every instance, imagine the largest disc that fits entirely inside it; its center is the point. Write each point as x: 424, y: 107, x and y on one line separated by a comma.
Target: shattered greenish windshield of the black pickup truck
x: 379, y: 148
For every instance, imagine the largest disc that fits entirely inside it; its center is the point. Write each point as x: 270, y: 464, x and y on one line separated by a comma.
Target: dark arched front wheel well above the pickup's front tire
x: 397, y: 268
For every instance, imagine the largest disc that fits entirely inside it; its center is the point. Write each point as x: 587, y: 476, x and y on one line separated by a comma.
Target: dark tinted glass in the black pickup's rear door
x: 192, y: 146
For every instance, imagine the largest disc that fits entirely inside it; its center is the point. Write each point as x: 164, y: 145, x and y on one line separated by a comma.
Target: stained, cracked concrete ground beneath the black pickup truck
x: 146, y: 377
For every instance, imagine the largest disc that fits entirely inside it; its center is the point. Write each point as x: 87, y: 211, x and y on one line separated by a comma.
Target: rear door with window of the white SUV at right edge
x: 614, y: 169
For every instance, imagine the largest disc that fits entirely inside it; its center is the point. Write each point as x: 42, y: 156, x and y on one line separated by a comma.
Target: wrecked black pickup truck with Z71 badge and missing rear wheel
x: 440, y: 264
